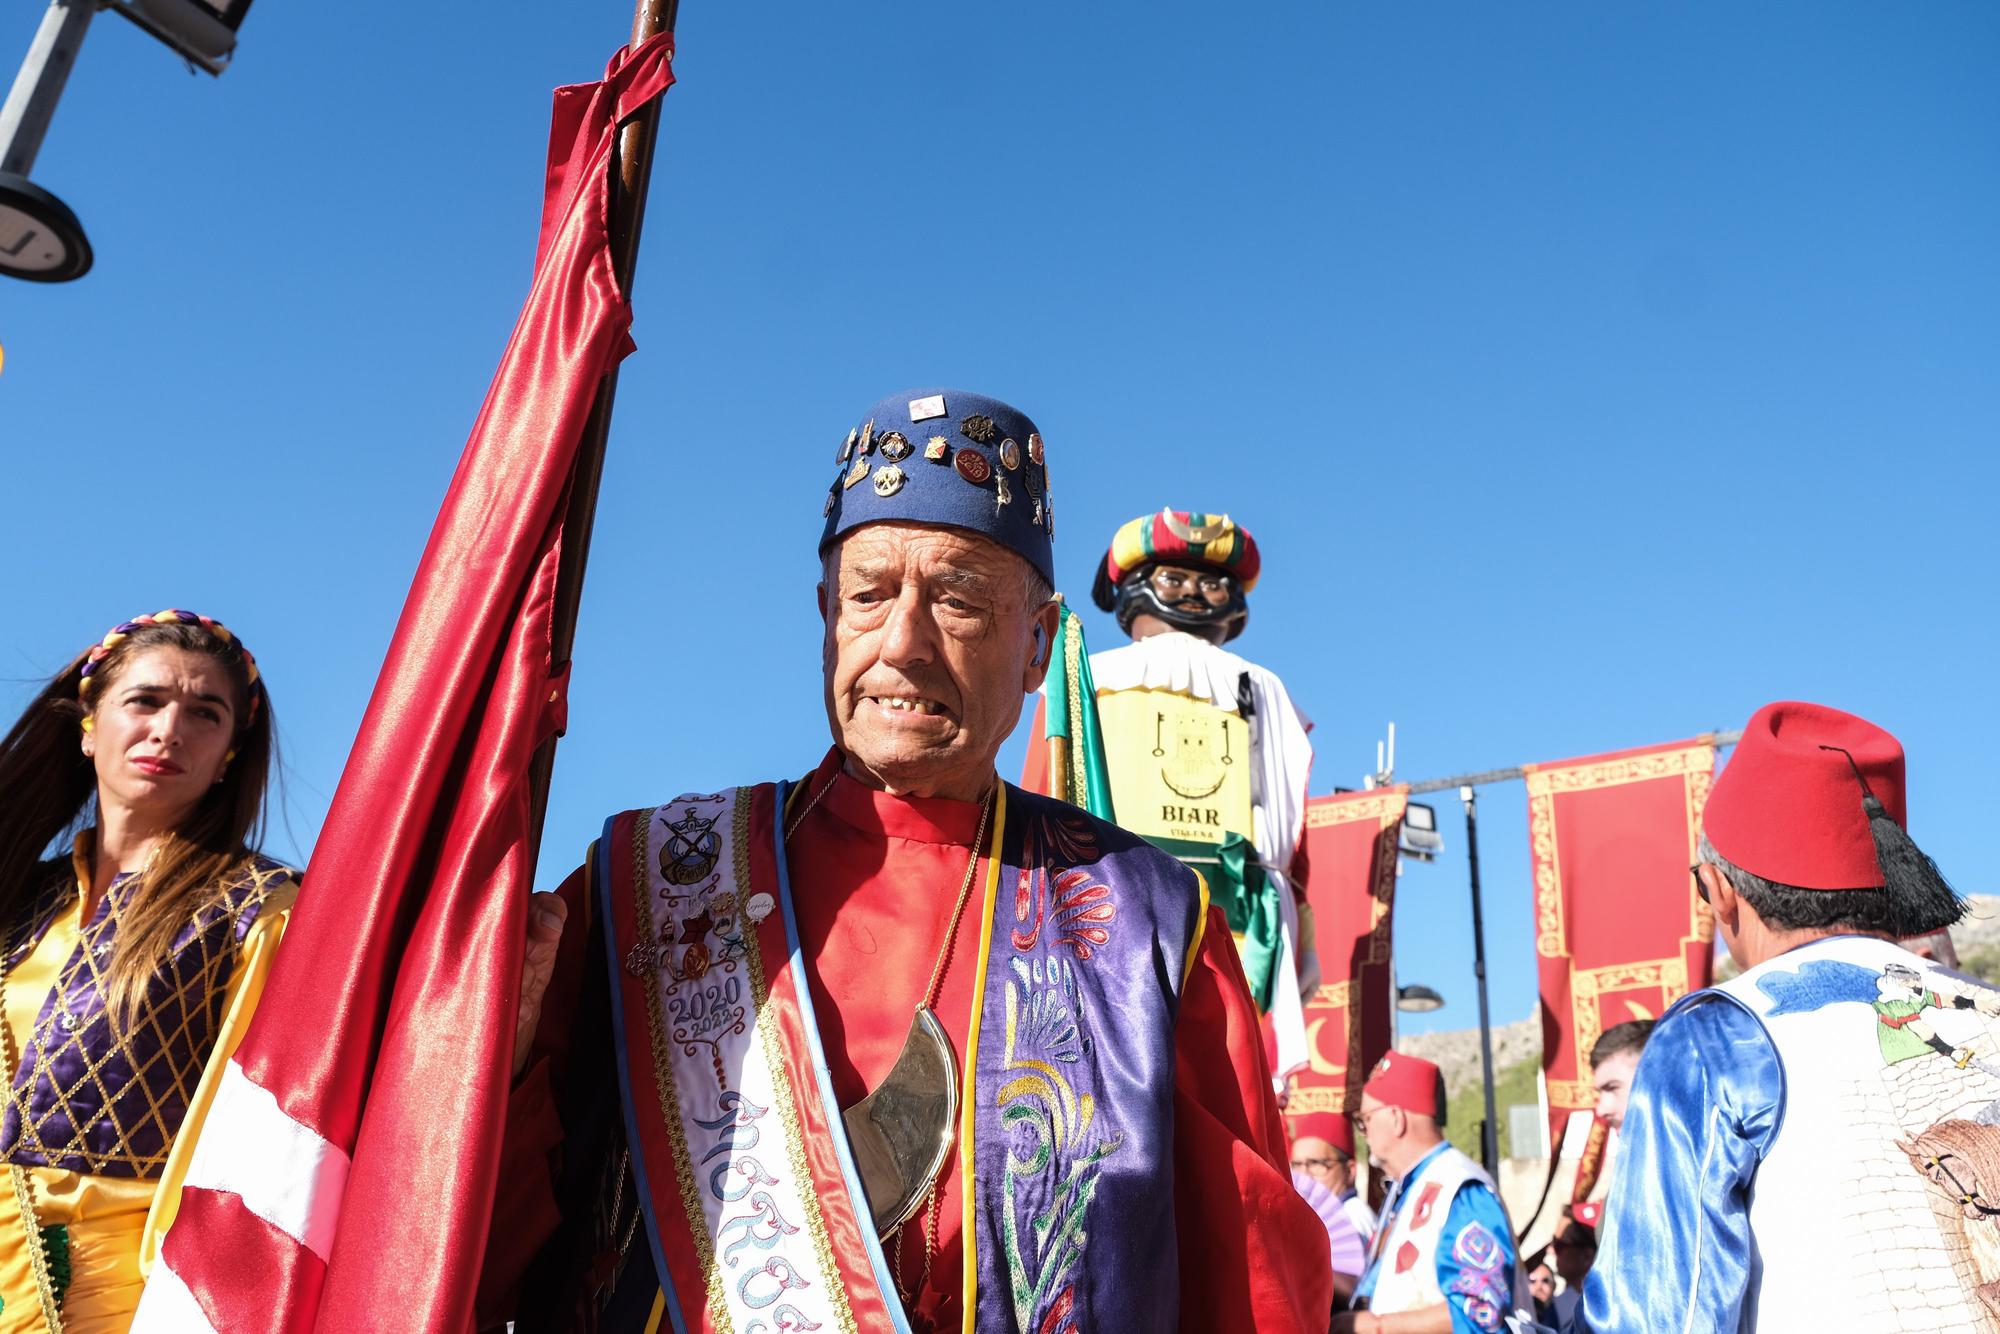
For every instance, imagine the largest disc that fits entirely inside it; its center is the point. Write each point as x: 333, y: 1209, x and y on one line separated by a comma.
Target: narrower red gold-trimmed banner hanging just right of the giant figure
x: 1351, y: 845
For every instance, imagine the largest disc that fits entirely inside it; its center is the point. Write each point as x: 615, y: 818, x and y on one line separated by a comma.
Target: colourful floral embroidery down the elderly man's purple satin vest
x: 1057, y: 1137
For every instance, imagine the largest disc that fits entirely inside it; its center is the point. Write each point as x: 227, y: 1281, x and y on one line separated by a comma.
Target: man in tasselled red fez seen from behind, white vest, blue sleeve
x: 1813, y: 1145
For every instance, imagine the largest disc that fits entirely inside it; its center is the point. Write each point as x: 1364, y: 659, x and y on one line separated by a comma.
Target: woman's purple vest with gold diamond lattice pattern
x: 103, y: 1101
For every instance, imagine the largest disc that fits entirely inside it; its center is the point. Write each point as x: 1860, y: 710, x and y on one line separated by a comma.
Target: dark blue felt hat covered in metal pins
x: 947, y: 457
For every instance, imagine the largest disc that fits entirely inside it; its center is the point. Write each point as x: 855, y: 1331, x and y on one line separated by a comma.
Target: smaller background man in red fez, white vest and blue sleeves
x: 1445, y: 1257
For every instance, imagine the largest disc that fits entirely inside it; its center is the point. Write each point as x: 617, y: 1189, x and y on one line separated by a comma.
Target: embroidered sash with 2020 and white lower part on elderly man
x: 723, y: 1085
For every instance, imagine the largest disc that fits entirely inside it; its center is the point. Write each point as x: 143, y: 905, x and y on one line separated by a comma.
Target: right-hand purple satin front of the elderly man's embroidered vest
x: 1075, y: 1089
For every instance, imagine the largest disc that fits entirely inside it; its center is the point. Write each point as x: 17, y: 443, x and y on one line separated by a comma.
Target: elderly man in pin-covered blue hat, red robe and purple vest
x: 897, y: 1045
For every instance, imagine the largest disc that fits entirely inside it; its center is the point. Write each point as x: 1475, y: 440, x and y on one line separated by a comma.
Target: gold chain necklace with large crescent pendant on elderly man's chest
x: 903, y: 1133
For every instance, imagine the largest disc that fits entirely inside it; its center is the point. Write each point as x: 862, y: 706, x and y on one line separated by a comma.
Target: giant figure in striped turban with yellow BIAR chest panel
x: 1207, y: 755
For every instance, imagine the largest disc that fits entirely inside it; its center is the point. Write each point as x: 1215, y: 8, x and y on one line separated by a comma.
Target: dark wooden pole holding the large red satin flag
x: 627, y: 217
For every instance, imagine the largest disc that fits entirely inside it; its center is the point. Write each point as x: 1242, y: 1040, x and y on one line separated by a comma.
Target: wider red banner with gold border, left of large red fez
x: 1619, y: 927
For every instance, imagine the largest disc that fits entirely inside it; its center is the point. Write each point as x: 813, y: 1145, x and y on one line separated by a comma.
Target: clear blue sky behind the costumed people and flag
x: 1589, y: 373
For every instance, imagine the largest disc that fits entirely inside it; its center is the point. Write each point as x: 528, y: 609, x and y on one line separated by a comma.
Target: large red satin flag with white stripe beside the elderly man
x: 345, y: 1177
